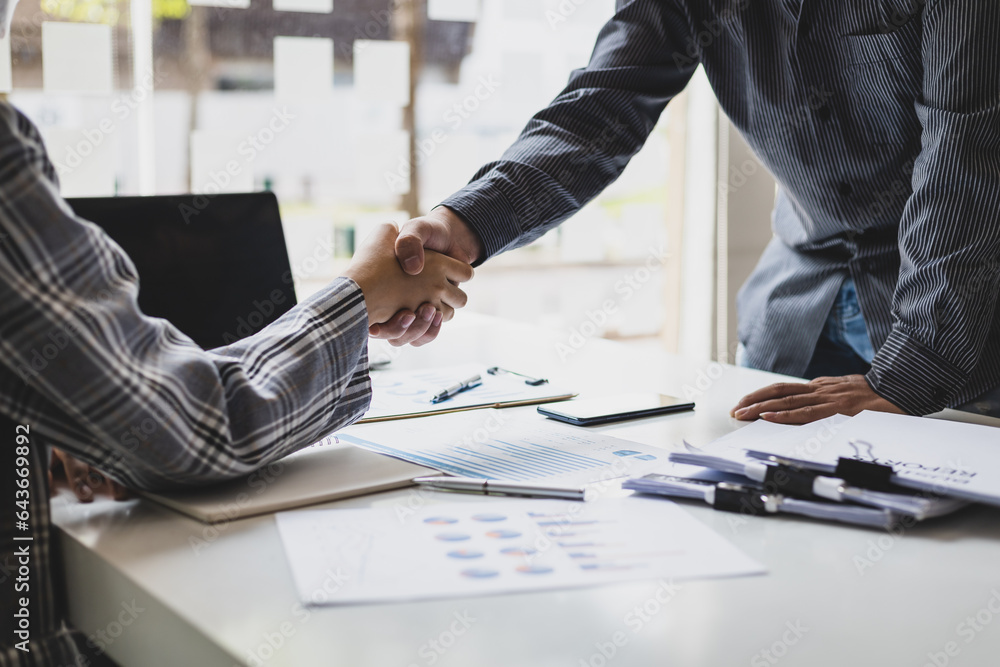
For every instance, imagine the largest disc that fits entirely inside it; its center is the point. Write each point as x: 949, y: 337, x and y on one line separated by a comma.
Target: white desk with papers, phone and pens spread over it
x: 853, y: 596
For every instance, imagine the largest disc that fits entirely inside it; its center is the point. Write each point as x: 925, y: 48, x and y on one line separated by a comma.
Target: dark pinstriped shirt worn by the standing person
x: 880, y: 119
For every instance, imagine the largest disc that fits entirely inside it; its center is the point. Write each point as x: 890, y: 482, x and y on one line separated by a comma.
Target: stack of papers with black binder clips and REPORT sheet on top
x: 767, y: 468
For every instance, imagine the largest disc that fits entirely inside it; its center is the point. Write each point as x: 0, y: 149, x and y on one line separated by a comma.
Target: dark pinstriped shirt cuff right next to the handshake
x: 490, y: 214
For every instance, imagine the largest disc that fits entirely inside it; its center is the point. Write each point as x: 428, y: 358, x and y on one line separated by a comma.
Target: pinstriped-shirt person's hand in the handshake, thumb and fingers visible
x: 441, y: 230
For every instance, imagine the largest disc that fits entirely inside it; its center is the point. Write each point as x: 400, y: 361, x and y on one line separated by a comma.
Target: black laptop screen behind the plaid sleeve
x: 215, y: 266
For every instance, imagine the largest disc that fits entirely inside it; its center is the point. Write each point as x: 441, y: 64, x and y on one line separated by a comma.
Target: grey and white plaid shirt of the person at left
x: 83, y: 369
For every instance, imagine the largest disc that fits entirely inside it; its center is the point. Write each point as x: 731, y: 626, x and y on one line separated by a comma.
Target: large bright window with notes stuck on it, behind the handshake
x: 353, y: 112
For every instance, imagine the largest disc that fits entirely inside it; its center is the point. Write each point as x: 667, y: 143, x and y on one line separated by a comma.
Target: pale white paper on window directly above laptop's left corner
x: 85, y: 160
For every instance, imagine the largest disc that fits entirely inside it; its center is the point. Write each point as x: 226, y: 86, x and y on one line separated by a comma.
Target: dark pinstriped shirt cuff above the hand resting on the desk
x: 913, y: 377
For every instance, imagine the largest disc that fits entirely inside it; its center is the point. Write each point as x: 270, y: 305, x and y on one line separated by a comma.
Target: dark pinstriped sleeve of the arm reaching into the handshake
x: 582, y: 141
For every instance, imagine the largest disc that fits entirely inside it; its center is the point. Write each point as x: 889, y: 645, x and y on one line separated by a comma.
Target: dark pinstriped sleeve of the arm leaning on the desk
x: 949, y: 237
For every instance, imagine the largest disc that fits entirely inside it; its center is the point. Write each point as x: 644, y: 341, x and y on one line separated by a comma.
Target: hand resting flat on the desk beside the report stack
x: 794, y: 403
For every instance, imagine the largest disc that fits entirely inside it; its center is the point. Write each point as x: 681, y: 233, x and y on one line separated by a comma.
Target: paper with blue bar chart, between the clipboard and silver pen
x: 490, y: 445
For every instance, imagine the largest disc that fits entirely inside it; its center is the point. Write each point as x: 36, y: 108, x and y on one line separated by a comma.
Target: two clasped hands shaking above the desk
x: 410, y: 277
